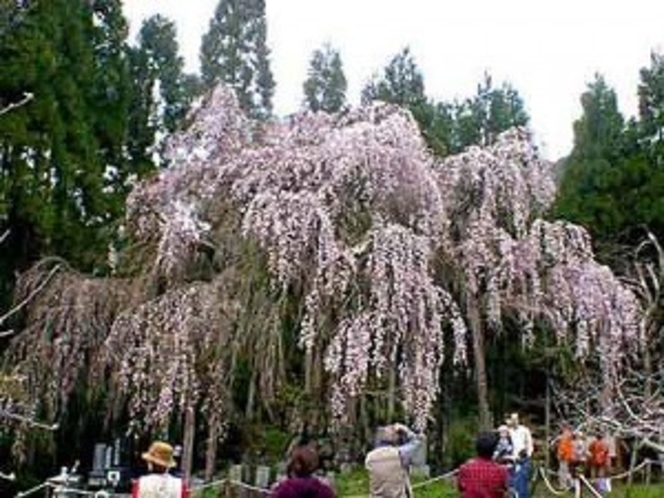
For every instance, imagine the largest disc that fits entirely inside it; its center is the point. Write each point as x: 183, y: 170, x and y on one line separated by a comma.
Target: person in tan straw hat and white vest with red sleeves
x: 159, y: 483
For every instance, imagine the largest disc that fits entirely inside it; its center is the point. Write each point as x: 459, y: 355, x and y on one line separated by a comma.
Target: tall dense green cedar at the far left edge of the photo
x: 52, y: 183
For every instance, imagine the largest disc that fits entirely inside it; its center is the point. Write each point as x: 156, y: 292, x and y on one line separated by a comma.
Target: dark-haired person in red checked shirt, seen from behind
x: 481, y: 477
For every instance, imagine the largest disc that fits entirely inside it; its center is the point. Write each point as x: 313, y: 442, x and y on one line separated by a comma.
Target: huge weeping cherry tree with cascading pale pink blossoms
x: 341, y: 228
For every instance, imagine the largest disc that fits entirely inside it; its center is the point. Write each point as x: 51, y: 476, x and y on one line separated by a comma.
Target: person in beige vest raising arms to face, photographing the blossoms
x: 395, y: 447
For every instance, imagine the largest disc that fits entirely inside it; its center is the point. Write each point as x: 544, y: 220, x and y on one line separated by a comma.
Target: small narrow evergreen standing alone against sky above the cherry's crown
x: 325, y: 86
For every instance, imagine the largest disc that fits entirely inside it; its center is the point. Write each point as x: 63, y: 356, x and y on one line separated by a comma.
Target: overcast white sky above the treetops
x: 548, y: 50
